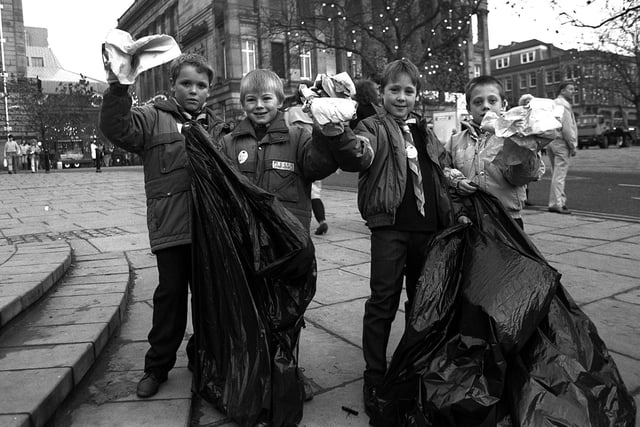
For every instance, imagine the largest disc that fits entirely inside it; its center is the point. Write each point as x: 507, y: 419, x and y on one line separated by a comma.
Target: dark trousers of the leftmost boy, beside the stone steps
x: 170, y: 301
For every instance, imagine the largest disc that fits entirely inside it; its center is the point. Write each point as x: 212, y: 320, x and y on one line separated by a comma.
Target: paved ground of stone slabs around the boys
x: 99, y: 214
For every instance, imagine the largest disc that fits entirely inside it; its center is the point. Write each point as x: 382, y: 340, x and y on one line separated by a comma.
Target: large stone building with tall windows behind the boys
x: 237, y: 36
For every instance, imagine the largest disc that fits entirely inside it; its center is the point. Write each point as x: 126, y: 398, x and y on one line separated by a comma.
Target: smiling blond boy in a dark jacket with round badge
x: 283, y: 160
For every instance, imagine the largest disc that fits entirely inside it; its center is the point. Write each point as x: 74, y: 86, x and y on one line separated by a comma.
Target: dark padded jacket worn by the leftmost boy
x: 153, y: 132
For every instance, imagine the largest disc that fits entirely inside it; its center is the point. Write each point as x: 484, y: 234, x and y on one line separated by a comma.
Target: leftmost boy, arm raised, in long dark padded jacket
x: 153, y: 132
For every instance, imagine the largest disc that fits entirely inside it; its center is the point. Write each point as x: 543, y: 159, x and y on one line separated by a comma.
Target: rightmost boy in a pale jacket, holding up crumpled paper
x: 486, y: 94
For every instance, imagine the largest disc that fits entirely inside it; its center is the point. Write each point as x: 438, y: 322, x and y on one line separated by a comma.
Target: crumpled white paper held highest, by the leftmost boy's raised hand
x: 128, y: 58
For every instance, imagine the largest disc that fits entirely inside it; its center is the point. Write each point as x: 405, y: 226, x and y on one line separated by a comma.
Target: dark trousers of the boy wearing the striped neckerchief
x: 394, y: 255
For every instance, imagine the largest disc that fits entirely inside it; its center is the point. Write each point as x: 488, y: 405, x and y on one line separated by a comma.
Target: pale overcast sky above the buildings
x: 77, y: 27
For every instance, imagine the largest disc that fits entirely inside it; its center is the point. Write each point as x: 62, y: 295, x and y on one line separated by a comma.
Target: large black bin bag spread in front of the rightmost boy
x: 493, y: 339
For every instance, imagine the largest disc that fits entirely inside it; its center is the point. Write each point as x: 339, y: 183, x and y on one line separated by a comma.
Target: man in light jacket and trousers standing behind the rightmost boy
x: 562, y: 149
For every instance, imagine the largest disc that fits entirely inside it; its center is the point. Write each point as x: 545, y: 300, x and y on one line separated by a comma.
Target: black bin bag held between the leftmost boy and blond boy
x: 254, y: 275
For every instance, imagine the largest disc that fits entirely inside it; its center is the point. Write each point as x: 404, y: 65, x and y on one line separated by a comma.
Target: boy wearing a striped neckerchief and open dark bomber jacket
x: 404, y: 197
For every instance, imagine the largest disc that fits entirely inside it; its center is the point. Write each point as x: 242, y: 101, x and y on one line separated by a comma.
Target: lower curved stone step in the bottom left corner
x: 48, y: 349
